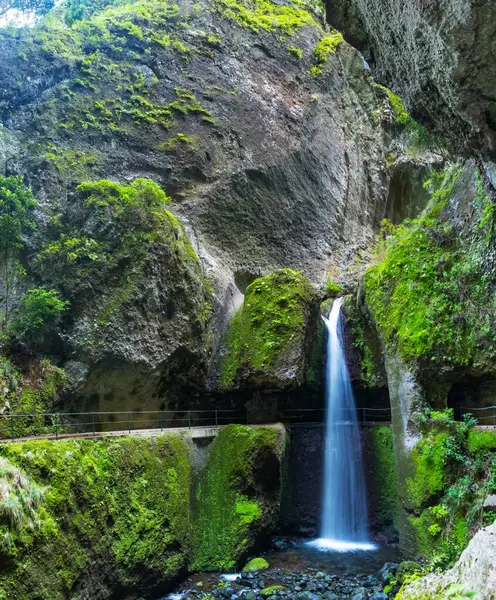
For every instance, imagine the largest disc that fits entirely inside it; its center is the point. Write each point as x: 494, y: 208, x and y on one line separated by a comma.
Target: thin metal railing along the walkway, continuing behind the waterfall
x: 60, y: 425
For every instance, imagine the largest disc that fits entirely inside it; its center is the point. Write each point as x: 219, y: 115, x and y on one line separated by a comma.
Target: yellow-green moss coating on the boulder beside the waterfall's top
x: 270, y: 322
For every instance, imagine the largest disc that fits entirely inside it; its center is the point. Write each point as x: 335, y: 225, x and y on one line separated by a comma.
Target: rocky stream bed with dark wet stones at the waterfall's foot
x: 333, y: 576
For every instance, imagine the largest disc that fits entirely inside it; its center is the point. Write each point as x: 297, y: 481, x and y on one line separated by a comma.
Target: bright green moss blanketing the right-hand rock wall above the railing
x: 430, y: 295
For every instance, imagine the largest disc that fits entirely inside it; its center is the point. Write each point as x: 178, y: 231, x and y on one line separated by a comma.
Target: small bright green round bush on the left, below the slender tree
x: 38, y: 307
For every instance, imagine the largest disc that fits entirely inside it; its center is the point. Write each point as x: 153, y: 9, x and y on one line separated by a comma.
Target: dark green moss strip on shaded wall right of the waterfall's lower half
x: 384, y: 475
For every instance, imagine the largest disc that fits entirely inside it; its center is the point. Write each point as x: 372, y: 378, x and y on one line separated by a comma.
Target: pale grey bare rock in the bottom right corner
x: 475, y: 571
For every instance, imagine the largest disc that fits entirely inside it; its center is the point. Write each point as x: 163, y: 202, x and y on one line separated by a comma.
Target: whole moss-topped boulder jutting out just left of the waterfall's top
x: 269, y: 338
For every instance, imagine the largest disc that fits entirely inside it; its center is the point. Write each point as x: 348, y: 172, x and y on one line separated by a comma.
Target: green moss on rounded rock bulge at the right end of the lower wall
x: 229, y: 509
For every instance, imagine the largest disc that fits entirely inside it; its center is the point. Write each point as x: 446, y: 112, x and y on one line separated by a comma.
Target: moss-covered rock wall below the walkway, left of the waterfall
x: 126, y: 517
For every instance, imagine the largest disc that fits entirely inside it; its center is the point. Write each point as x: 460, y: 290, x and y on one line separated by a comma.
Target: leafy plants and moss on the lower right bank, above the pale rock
x: 454, y: 471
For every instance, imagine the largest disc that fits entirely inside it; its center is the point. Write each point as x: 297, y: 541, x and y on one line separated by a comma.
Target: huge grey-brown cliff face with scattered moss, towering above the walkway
x: 268, y: 166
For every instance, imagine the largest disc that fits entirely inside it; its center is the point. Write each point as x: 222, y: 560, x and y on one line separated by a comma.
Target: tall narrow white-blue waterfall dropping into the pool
x: 344, y: 509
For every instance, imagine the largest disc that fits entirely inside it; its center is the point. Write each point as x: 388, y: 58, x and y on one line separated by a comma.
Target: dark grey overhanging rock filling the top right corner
x: 440, y: 57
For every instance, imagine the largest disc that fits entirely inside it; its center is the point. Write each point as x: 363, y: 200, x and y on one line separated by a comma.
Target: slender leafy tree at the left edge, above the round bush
x: 16, y: 203
